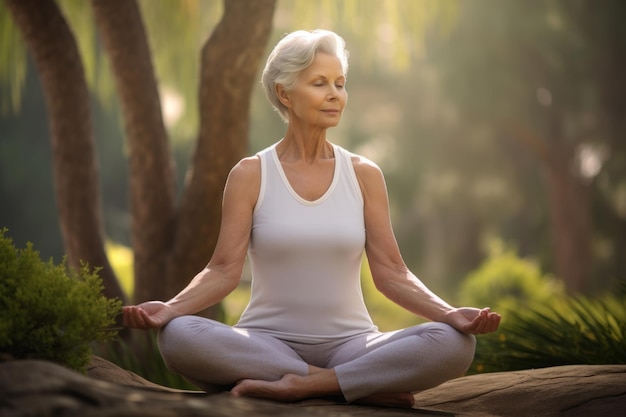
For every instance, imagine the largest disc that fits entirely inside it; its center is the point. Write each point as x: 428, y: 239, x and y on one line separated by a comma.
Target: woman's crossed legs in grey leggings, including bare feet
x: 380, y: 369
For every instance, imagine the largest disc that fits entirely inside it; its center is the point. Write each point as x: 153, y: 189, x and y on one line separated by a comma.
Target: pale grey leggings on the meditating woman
x: 215, y: 356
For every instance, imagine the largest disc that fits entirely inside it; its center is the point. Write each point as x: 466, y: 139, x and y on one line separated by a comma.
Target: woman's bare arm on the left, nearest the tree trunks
x: 223, y: 272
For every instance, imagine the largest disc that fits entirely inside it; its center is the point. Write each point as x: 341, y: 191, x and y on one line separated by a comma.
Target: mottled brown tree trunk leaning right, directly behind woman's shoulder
x: 230, y: 61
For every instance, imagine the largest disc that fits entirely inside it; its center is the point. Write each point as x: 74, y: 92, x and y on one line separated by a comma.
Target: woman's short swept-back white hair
x: 294, y: 53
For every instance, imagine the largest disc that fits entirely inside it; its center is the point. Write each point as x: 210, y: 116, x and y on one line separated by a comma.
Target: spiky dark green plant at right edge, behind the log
x: 565, y: 332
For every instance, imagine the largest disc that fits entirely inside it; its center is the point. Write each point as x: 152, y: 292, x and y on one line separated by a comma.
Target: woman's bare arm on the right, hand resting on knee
x: 389, y: 271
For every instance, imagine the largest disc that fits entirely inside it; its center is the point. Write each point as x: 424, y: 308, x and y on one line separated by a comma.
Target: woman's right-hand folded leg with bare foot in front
x: 381, y: 369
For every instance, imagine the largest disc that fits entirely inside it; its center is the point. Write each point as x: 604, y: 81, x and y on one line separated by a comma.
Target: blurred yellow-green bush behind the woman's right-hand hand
x: 505, y: 281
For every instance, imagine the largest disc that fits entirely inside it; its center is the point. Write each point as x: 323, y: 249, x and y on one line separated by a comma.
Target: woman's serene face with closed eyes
x: 319, y: 95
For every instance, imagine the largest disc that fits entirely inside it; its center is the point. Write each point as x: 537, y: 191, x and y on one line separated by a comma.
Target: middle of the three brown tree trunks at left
x: 152, y: 195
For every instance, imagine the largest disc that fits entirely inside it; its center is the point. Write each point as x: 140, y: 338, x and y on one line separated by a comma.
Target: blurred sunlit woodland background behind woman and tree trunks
x: 499, y: 126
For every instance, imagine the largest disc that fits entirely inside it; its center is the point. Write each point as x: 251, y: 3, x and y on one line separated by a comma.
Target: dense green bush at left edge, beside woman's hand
x: 50, y: 311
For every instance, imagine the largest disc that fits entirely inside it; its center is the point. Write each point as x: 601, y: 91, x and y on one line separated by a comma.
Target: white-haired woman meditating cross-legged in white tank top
x: 304, y: 210
